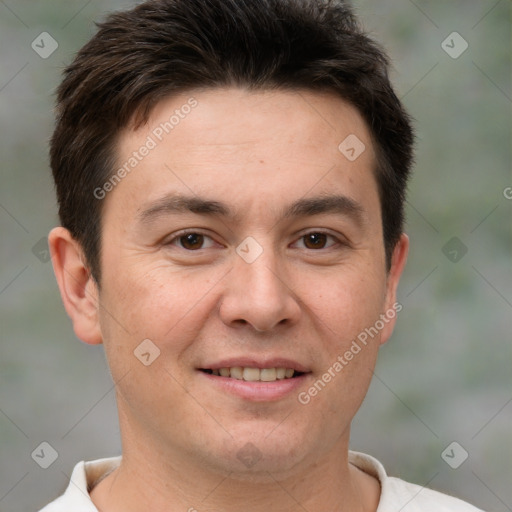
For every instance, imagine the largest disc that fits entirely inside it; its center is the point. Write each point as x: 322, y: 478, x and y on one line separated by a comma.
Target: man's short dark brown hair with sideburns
x: 140, y: 56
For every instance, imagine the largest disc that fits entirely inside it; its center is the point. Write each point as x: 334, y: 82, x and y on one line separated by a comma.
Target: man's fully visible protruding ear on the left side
x: 77, y: 287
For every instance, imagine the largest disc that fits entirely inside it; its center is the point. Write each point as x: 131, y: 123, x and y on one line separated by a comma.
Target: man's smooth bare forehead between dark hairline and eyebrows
x: 246, y: 145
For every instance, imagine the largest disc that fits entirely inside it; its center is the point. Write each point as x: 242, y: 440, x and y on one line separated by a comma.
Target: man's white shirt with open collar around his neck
x: 396, y: 495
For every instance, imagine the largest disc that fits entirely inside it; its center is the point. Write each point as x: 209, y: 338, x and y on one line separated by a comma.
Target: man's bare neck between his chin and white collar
x: 161, y: 479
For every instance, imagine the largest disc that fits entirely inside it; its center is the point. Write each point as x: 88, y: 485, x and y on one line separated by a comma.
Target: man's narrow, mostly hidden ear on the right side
x: 392, y: 306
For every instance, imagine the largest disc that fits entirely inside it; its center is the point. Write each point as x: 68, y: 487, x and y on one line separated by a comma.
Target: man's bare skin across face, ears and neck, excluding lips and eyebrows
x: 257, y: 152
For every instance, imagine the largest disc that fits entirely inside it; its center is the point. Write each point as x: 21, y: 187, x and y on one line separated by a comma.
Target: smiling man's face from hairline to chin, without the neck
x: 284, y: 270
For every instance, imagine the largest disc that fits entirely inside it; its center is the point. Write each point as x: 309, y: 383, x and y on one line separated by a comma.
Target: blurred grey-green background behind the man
x: 444, y: 377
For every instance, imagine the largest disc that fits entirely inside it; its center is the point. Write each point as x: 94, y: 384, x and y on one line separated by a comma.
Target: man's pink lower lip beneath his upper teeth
x: 257, y: 391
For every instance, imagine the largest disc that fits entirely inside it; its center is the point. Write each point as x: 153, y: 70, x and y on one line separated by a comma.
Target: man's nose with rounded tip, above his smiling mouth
x: 259, y: 294
